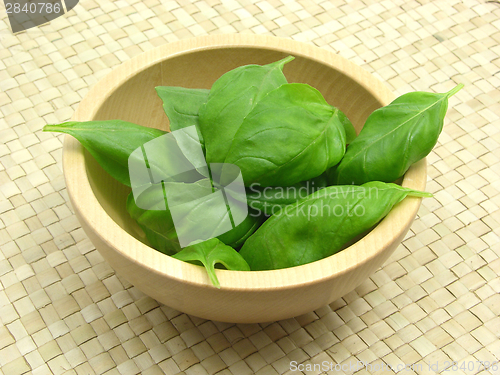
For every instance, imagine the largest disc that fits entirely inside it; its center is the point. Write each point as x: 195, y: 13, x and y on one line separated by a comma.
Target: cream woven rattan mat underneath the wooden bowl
x: 436, y: 300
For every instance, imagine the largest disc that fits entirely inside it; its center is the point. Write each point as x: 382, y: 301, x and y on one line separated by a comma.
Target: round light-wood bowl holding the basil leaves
x: 128, y: 93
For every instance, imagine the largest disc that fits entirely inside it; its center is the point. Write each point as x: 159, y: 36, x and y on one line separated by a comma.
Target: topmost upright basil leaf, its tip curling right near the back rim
x: 231, y: 98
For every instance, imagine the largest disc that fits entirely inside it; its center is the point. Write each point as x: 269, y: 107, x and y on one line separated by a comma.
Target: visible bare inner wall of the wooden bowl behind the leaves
x: 135, y: 100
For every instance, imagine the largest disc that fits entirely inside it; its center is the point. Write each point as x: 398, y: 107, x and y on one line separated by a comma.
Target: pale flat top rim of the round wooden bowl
x: 88, y: 208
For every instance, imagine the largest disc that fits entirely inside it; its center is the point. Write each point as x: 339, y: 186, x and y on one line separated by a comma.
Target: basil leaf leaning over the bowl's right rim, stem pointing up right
x: 393, y: 138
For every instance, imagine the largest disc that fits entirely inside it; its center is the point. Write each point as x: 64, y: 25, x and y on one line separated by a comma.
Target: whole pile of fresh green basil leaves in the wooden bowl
x: 285, y: 138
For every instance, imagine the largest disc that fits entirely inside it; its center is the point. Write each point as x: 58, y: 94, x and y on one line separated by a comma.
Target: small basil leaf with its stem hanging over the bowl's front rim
x: 211, y: 252
